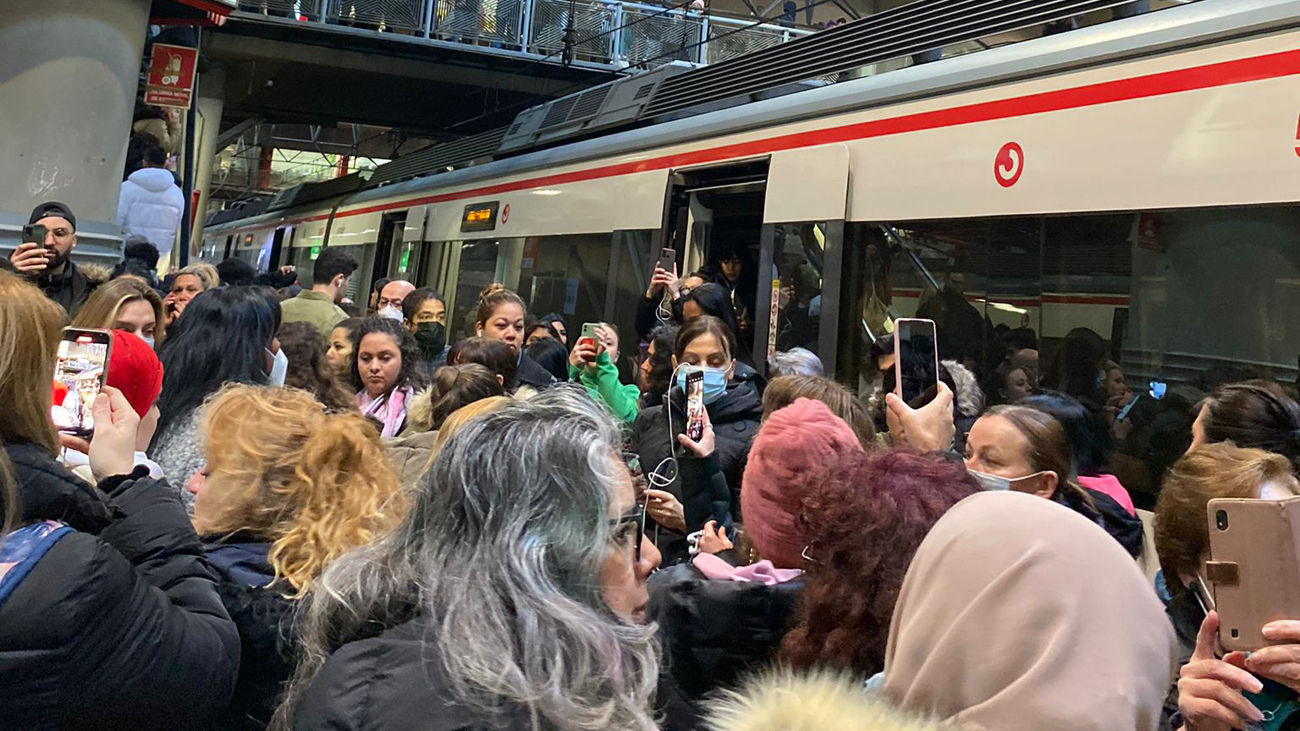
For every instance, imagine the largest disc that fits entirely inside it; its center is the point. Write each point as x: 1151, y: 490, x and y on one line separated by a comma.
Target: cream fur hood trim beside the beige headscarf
x: 814, y: 702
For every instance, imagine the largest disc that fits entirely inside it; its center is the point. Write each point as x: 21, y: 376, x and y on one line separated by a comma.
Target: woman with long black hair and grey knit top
x: 227, y: 336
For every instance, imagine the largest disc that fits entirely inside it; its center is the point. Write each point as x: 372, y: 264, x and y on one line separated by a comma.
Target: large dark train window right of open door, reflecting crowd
x: 1099, y: 306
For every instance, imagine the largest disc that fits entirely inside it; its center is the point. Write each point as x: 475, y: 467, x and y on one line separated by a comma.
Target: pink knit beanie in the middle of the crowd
x: 790, y: 449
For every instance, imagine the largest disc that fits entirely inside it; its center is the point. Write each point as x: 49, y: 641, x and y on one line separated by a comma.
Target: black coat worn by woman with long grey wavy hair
x: 397, y: 681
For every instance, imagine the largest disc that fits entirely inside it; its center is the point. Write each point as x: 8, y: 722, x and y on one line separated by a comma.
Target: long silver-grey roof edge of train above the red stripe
x: 1198, y: 24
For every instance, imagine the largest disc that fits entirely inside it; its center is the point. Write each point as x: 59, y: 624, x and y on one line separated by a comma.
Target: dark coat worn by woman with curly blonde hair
x: 265, y: 616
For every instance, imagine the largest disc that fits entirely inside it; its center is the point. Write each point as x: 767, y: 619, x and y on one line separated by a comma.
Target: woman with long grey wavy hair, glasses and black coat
x: 512, y: 598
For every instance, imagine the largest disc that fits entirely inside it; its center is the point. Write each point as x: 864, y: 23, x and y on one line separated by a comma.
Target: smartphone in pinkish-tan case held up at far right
x: 1254, y: 566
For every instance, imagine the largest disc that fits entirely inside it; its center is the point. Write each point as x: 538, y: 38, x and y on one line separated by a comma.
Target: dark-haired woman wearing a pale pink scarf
x: 385, y: 373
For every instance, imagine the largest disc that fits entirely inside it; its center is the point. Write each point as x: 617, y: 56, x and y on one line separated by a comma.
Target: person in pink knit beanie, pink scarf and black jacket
x: 707, y: 608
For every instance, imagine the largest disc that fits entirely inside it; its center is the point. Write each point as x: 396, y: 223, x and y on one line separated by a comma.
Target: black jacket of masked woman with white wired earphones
x: 735, y: 418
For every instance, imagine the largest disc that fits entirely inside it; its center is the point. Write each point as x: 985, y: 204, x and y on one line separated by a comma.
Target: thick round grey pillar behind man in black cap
x: 68, y: 77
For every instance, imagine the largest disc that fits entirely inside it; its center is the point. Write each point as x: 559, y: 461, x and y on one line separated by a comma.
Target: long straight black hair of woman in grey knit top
x: 220, y: 339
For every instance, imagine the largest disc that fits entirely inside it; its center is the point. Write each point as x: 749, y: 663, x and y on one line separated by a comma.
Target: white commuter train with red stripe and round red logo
x: 1136, y: 178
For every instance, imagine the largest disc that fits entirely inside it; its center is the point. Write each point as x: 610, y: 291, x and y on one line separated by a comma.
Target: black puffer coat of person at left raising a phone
x: 118, y: 626
